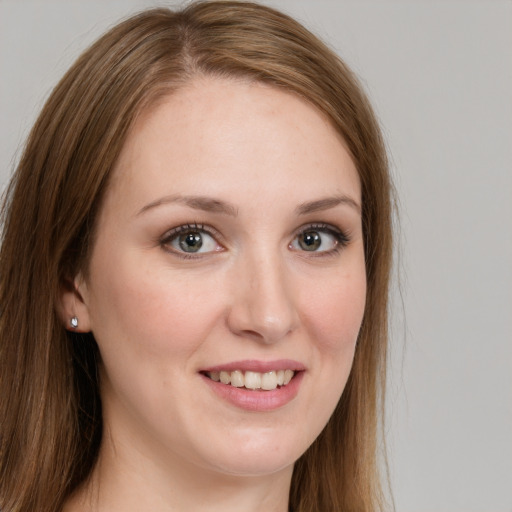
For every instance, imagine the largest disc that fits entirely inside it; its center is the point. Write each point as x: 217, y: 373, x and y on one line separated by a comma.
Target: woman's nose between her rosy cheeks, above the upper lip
x: 263, y: 306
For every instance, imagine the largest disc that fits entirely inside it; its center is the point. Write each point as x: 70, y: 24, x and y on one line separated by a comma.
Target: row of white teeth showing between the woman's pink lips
x: 254, y: 381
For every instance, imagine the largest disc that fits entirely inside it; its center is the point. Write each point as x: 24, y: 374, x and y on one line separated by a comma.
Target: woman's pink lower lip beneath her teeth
x: 257, y: 400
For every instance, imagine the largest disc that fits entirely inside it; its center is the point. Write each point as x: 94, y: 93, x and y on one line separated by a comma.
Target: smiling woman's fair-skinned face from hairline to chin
x: 226, y: 287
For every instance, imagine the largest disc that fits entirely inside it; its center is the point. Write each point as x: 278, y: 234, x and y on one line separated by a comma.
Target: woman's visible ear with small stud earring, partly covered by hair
x: 73, y: 304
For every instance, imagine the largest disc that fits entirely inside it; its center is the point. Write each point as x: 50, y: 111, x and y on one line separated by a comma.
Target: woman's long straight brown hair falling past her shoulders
x: 50, y: 408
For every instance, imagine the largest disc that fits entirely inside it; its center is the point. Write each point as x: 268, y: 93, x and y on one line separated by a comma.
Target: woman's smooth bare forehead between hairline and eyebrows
x: 227, y: 136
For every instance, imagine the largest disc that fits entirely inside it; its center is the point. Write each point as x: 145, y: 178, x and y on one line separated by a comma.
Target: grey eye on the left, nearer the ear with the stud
x: 190, y: 240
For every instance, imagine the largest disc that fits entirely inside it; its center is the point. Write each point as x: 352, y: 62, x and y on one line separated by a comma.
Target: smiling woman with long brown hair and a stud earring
x: 194, y: 276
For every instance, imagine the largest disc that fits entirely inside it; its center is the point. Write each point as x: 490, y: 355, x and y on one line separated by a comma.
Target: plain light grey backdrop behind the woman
x: 440, y: 76
